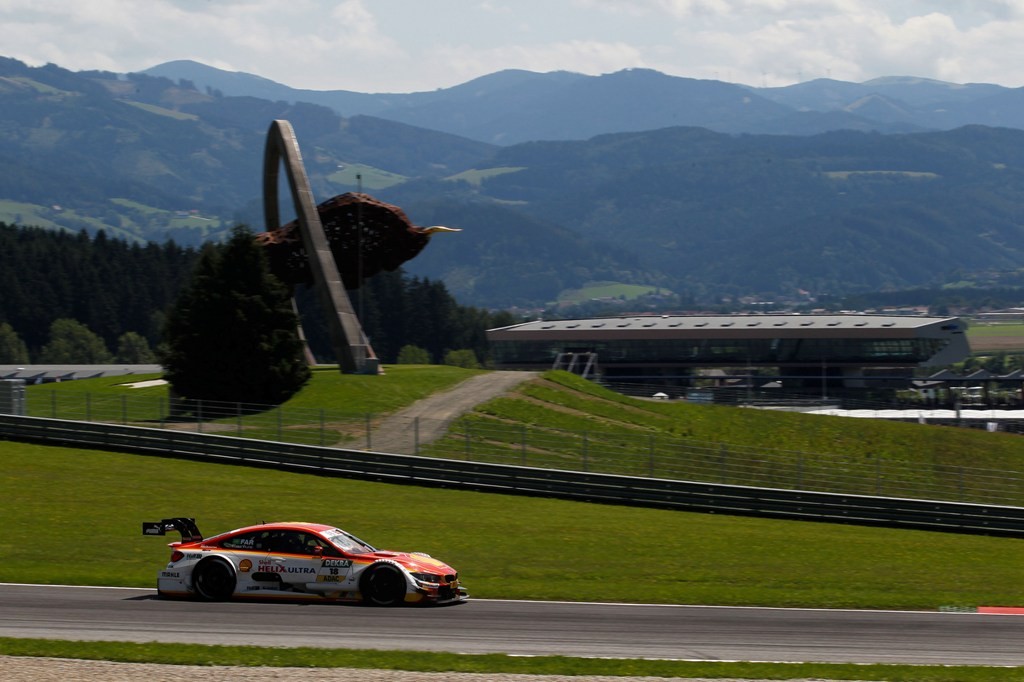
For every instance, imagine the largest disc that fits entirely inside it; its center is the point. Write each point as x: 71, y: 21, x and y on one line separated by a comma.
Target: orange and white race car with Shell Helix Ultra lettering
x: 302, y: 562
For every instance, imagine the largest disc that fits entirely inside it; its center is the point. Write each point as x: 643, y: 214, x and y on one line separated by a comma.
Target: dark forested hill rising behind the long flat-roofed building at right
x: 831, y: 215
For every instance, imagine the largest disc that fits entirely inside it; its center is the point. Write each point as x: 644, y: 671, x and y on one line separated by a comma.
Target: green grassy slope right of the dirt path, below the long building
x: 568, y: 419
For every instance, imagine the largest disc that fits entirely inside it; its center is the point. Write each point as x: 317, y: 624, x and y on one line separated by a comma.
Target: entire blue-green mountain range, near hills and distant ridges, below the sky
x: 553, y: 192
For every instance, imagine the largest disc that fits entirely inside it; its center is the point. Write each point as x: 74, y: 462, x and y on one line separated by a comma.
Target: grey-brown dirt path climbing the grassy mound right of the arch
x: 428, y: 420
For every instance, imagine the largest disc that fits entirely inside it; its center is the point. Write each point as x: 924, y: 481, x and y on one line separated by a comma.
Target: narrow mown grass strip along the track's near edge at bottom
x: 196, y: 655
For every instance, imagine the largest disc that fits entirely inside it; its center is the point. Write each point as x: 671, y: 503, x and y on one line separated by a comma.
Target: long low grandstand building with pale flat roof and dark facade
x: 797, y: 351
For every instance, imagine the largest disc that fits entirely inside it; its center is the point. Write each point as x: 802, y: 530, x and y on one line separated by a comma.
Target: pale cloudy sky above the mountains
x: 415, y: 46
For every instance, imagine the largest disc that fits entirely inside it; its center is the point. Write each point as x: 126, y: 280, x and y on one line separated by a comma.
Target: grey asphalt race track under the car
x: 525, y: 628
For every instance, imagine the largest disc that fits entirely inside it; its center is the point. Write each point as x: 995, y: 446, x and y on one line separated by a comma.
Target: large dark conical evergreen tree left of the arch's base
x: 232, y: 335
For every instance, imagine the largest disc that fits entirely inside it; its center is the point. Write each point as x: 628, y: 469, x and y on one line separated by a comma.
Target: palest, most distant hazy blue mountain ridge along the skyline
x: 513, y: 107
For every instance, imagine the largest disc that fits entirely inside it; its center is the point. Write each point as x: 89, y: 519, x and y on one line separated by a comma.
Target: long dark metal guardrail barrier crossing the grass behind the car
x: 686, y: 496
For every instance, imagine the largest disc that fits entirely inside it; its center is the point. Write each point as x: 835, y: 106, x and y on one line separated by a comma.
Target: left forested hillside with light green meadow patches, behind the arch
x: 92, y: 151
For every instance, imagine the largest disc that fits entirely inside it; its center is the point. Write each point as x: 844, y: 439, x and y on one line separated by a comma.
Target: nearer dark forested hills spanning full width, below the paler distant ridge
x: 711, y: 218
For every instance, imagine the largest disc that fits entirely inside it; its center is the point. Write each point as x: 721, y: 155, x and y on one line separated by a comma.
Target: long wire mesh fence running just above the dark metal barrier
x: 491, y: 441
